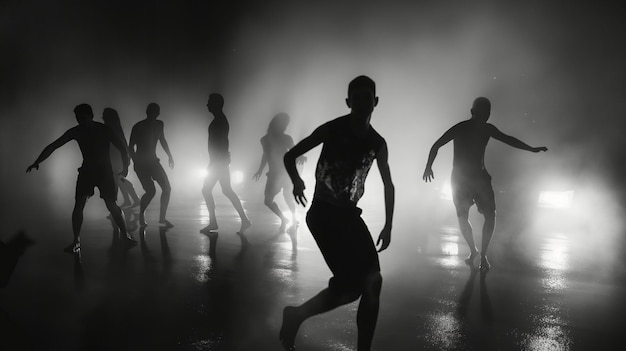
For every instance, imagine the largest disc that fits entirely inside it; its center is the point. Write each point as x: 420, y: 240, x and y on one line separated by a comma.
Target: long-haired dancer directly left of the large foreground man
x: 275, y: 144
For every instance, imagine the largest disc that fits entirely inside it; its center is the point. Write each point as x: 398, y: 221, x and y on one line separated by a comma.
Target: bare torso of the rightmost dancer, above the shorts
x: 470, y: 142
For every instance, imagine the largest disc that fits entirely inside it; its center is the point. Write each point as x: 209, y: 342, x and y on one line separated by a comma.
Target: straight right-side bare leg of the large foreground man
x: 367, y: 314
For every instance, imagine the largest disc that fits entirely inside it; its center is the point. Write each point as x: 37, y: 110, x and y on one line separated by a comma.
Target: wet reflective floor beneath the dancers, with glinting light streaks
x: 548, y: 289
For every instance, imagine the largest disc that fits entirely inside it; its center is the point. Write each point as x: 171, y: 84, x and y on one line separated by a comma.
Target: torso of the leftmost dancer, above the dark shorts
x: 94, y: 140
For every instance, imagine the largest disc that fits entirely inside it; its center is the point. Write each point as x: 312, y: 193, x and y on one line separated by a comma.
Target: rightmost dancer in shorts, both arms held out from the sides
x: 470, y: 181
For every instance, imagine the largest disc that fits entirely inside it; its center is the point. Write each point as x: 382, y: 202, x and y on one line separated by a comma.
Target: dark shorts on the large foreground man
x: 345, y: 243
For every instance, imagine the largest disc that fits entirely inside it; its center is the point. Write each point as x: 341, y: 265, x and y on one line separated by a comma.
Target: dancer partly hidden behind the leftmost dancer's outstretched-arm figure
x: 112, y: 120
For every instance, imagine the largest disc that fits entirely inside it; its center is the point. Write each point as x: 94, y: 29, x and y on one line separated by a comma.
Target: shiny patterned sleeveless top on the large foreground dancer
x: 344, y: 163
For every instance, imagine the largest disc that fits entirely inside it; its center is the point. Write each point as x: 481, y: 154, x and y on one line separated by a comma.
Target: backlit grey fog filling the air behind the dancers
x: 552, y: 81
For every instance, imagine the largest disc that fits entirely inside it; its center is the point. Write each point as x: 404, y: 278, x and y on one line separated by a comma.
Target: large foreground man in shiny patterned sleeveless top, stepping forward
x: 350, y: 146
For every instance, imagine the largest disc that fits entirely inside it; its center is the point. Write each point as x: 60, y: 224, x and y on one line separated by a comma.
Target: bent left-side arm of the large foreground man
x: 317, y: 137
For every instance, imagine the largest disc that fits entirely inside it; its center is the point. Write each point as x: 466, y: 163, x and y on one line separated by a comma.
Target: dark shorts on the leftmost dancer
x: 90, y: 178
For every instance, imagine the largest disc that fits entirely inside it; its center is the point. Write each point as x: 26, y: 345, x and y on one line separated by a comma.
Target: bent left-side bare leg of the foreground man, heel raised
x: 293, y: 317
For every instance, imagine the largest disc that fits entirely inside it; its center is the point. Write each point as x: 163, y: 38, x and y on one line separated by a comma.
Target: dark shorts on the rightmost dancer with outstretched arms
x: 467, y: 190
